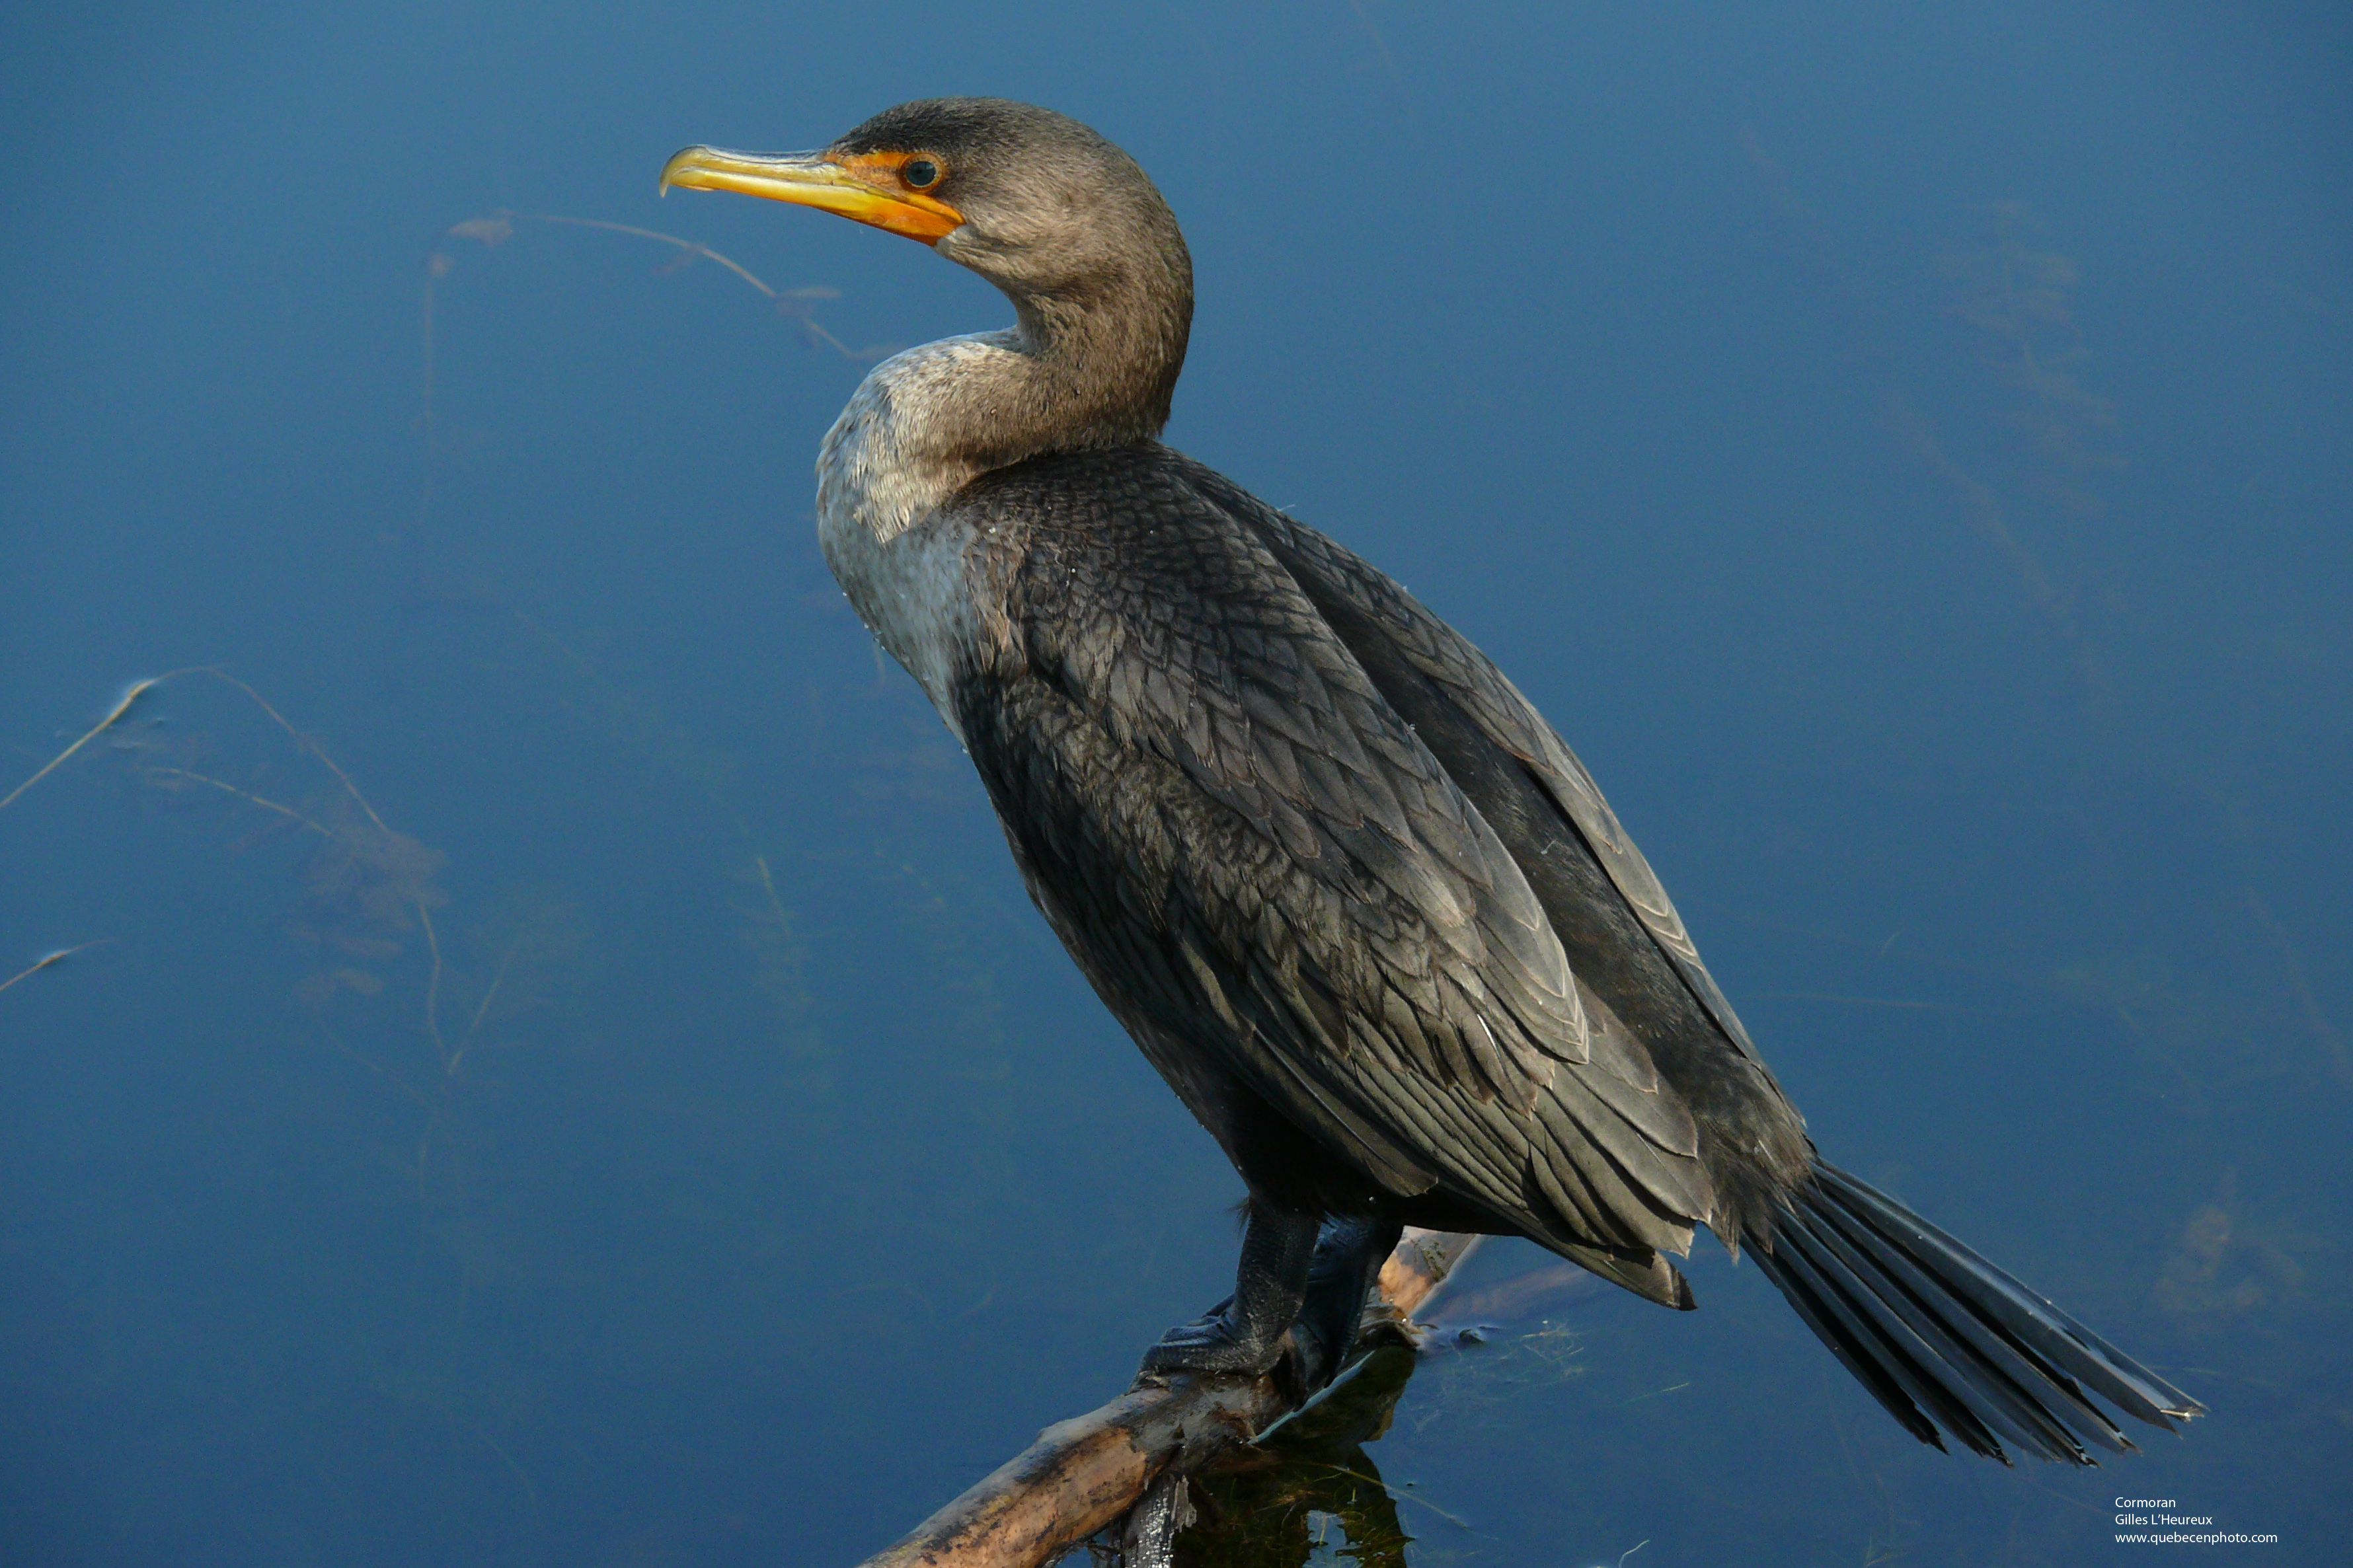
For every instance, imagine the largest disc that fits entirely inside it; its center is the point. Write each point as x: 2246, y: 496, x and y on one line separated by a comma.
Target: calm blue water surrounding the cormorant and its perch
x: 1907, y: 455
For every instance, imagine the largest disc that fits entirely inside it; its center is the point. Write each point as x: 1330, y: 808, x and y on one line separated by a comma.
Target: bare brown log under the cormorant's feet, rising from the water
x: 1086, y: 1473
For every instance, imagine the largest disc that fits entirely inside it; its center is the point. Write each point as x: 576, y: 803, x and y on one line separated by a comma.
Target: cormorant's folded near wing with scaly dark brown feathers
x: 1248, y: 847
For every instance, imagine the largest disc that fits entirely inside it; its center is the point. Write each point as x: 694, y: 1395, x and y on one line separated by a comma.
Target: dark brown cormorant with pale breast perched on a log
x: 1342, y: 883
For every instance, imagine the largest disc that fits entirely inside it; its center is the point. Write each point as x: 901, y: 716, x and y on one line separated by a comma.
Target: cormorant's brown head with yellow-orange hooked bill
x: 1032, y: 201
